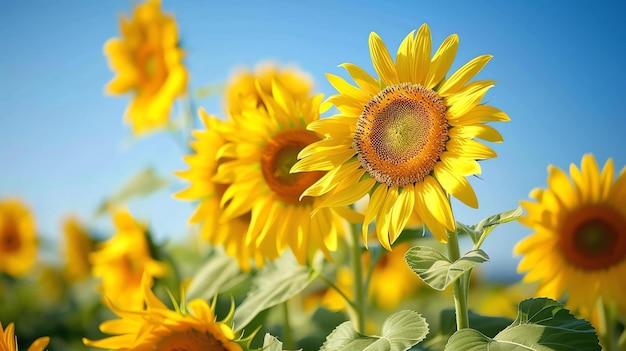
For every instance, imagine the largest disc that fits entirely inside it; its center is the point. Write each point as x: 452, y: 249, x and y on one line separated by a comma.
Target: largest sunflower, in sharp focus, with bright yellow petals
x: 408, y: 137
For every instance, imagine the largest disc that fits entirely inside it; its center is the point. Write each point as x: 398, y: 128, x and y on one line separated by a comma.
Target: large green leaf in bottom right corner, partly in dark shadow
x: 541, y: 325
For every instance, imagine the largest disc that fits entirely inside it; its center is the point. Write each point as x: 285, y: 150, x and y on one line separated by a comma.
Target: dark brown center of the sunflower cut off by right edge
x: 593, y: 237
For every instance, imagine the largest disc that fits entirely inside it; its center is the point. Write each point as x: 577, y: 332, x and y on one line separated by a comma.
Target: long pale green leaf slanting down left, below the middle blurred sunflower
x: 274, y: 284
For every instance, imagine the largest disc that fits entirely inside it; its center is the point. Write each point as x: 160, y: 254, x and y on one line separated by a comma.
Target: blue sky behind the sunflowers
x: 63, y: 147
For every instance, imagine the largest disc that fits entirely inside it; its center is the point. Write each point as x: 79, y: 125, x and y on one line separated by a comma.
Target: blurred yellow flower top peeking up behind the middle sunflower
x: 242, y: 91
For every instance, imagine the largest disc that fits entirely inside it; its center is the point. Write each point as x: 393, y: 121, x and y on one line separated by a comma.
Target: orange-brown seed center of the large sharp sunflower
x: 401, y: 134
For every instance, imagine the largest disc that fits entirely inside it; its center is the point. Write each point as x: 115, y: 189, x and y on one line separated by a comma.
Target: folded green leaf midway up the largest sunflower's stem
x: 436, y: 270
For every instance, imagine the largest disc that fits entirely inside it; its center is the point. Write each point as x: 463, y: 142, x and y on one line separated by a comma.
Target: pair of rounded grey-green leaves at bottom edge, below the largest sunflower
x: 400, y: 331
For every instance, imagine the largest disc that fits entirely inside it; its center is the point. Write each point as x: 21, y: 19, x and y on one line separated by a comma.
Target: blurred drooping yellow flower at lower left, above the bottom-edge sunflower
x: 122, y: 260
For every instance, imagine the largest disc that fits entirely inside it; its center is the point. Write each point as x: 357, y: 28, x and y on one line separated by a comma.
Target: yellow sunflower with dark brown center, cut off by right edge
x: 579, y: 243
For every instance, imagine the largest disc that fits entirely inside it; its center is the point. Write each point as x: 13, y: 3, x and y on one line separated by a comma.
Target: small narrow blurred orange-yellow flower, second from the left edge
x: 78, y: 246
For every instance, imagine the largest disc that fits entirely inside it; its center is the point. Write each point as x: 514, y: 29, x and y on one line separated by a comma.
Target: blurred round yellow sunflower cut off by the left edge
x: 18, y: 240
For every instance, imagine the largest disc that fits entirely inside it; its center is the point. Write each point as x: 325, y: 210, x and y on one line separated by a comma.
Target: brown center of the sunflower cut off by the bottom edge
x: 189, y: 340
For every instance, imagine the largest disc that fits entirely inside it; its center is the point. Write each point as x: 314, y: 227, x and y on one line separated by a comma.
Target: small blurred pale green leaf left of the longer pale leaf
x: 211, y: 278
